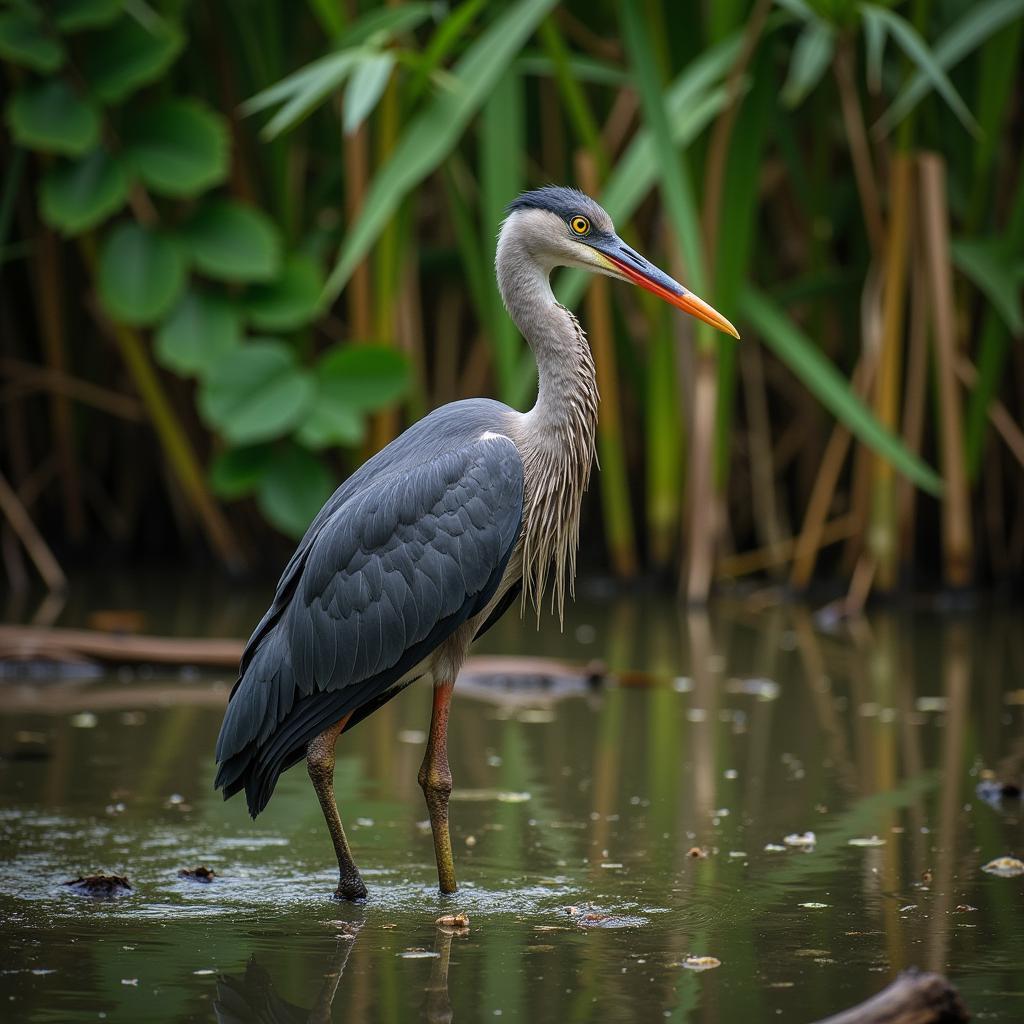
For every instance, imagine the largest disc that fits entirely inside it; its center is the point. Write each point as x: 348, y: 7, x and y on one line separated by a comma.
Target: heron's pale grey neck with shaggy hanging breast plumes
x: 557, y: 437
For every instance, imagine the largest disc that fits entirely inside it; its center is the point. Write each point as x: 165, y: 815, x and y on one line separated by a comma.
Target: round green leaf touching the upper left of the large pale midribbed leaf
x: 198, y: 332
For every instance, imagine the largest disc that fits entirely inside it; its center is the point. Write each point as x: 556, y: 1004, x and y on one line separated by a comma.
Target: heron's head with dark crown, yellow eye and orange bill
x: 561, y: 227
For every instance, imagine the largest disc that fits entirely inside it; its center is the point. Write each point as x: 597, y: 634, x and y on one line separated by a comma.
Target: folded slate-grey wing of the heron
x: 397, y: 569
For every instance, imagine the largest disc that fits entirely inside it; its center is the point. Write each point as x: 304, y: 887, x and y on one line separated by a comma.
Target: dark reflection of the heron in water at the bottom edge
x: 252, y: 999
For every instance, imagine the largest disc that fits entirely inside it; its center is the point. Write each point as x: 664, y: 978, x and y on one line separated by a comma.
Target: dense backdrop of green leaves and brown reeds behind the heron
x: 242, y: 244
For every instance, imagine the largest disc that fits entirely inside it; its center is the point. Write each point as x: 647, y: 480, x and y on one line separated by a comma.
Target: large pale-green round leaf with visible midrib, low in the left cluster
x: 257, y: 393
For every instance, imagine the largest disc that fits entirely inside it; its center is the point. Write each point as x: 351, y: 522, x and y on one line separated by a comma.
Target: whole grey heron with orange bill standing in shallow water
x: 435, y: 538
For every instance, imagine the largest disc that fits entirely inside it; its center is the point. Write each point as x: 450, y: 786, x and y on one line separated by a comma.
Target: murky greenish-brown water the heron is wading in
x: 577, y: 816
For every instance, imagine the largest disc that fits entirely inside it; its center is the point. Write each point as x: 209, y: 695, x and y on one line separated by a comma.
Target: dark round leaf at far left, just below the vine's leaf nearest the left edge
x: 75, y: 197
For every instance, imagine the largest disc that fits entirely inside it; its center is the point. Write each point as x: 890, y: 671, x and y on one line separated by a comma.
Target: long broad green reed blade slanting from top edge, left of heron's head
x: 432, y: 135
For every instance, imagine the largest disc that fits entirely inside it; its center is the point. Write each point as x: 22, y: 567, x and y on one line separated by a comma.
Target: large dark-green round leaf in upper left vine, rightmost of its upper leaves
x: 178, y: 147
